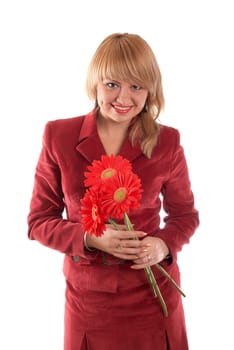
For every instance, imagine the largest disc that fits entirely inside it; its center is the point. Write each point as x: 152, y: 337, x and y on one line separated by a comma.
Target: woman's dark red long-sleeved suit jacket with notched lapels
x: 69, y: 146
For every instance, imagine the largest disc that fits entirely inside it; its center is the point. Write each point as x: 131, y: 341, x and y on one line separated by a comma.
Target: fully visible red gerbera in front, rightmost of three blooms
x: 120, y: 194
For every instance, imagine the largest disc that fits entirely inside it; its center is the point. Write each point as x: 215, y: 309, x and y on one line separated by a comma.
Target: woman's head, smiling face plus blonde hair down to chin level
x: 122, y: 74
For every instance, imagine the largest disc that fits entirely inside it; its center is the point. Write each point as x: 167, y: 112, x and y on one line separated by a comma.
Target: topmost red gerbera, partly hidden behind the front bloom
x: 104, y: 169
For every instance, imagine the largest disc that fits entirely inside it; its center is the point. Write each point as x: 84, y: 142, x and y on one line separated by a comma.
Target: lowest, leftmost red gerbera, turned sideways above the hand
x: 92, y: 217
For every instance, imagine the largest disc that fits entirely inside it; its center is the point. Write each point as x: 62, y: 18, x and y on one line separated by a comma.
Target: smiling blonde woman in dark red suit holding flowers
x: 109, y: 304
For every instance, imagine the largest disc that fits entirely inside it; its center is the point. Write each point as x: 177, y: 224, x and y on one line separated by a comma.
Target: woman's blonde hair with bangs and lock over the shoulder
x: 128, y: 57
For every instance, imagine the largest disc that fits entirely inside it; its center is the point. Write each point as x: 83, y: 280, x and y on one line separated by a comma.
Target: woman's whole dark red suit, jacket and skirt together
x: 108, y: 305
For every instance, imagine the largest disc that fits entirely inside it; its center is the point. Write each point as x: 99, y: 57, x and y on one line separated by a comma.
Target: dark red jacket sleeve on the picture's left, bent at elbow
x: 46, y: 220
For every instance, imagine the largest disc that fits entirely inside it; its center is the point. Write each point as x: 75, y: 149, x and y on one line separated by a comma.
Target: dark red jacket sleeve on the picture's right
x: 181, y: 217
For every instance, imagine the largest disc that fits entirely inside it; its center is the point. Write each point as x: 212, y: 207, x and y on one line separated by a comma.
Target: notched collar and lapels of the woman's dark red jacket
x: 90, y: 145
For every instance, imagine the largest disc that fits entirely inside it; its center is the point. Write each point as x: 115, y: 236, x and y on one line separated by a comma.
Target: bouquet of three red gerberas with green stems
x: 113, y: 189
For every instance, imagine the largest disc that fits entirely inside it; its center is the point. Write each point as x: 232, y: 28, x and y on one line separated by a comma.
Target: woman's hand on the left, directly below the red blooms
x: 119, y: 243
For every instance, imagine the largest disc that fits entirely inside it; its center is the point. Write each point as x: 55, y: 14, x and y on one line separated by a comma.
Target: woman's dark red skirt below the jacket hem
x: 129, y: 319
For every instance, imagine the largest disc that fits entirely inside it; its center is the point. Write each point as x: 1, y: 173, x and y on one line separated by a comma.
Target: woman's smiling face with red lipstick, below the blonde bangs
x: 120, y: 101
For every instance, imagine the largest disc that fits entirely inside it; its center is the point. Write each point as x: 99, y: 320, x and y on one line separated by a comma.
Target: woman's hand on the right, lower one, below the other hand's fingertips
x: 156, y: 252
